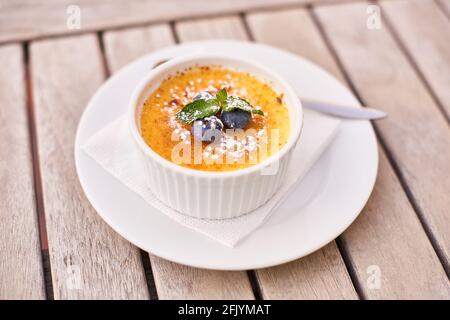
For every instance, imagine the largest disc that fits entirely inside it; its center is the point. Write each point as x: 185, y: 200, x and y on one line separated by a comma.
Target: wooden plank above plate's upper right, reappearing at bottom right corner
x: 387, y: 233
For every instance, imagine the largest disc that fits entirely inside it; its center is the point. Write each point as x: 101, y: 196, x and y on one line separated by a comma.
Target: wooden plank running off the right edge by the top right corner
x: 424, y: 30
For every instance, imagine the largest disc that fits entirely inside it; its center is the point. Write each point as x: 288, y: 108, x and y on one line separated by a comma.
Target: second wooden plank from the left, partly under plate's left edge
x: 88, y: 259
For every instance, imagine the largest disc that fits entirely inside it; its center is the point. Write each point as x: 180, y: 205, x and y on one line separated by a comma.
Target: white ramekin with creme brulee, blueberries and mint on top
x: 215, y: 134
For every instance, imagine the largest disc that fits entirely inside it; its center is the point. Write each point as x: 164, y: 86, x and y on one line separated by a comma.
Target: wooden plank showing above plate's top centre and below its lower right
x: 293, y: 273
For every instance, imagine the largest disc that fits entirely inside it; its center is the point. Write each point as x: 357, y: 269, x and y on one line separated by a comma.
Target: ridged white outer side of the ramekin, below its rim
x: 212, y: 197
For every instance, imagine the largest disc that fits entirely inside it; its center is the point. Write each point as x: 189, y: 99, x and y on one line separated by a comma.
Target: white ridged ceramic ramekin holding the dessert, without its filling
x: 214, y: 195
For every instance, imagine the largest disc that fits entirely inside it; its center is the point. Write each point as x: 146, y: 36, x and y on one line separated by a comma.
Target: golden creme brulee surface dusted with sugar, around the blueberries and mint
x: 172, y: 138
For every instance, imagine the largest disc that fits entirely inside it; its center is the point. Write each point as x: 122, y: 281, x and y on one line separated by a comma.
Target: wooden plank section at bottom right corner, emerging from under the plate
x: 388, y: 238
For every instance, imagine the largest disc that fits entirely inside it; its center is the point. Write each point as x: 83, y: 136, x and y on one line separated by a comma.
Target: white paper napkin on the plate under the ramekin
x: 113, y: 148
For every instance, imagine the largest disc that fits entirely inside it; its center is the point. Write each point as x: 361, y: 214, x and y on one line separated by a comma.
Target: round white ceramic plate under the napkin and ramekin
x: 324, y: 204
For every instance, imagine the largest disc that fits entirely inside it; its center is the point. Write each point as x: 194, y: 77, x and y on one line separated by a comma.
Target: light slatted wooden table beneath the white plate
x: 53, y: 245
